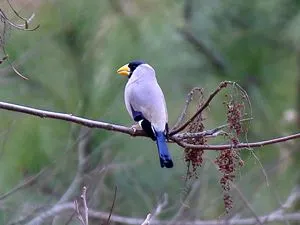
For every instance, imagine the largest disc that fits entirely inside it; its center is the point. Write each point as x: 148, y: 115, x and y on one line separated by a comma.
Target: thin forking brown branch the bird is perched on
x: 133, y: 132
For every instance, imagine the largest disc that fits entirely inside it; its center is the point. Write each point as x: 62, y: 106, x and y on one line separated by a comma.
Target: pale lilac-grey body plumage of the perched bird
x: 143, y: 94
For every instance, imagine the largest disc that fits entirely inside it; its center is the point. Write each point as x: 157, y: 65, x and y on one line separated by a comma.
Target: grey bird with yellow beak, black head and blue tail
x: 145, y: 103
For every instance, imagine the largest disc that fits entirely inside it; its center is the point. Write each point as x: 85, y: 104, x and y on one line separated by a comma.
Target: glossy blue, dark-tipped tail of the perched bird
x: 163, y: 152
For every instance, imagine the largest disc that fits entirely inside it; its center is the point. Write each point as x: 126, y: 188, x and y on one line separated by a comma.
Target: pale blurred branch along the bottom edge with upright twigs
x: 275, y: 216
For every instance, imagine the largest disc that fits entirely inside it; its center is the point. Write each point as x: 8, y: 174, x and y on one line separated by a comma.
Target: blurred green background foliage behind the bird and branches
x: 71, y: 63
